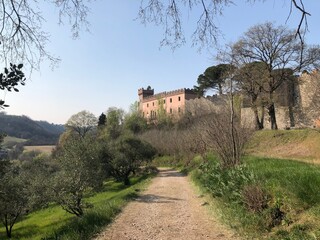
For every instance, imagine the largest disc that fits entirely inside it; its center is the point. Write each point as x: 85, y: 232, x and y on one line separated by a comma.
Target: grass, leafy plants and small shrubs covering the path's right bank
x: 282, y: 202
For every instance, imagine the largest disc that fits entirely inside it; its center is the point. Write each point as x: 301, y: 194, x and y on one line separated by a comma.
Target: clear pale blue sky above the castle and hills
x: 106, y: 66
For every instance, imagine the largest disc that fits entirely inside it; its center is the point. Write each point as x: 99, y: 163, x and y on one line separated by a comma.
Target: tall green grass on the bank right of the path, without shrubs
x: 293, y: 186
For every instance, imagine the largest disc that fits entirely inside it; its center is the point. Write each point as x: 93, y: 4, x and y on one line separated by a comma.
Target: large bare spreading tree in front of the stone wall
x: 279, y: 50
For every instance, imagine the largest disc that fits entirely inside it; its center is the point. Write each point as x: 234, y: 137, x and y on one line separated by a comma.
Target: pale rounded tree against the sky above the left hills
x: 82, y: 123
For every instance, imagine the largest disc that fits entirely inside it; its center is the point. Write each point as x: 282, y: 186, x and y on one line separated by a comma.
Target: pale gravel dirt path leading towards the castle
x: 168, y: 210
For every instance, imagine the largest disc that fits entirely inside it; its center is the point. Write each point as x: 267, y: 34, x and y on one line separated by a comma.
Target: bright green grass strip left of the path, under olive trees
x: 55, y: 223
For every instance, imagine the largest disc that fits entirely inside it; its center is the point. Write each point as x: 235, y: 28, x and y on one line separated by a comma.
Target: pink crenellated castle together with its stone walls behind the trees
x: 297, y: 103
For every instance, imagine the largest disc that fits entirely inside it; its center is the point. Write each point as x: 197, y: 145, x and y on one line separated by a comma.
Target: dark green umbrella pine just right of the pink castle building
x: 213, y: 78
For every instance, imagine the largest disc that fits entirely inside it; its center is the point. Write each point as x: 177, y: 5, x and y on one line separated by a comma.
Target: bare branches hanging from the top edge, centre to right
x: 170, y: 15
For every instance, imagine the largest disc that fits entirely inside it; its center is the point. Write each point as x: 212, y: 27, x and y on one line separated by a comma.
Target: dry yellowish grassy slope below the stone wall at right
x: 303, y: 145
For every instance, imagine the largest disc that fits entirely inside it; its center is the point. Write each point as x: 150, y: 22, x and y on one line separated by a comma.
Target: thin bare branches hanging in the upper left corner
x: 22, y: 37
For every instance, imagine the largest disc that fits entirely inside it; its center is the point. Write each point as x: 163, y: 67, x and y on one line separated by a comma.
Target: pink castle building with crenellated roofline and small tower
x: 170, y: 103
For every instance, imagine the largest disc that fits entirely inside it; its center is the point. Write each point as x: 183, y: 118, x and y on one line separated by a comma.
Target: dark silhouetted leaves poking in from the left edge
x: 10, y: 79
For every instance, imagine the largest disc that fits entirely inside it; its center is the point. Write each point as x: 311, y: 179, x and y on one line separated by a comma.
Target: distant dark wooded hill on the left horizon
x: 35, y: 132
